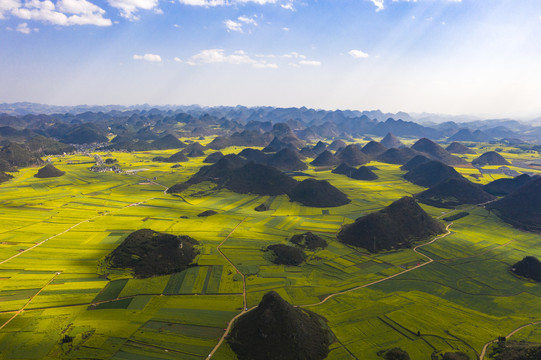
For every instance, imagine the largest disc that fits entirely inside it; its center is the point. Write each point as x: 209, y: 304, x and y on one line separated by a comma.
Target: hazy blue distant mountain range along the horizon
x: 86, y: 123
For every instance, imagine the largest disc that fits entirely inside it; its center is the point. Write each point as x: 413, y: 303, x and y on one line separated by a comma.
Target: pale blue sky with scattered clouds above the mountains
x: 475, y: 57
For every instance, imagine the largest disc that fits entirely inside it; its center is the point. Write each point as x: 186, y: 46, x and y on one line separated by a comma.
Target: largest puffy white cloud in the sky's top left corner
x: 64, y: 13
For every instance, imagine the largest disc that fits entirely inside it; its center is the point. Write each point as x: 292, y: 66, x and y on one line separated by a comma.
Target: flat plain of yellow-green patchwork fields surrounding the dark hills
x: 56, y: 232
